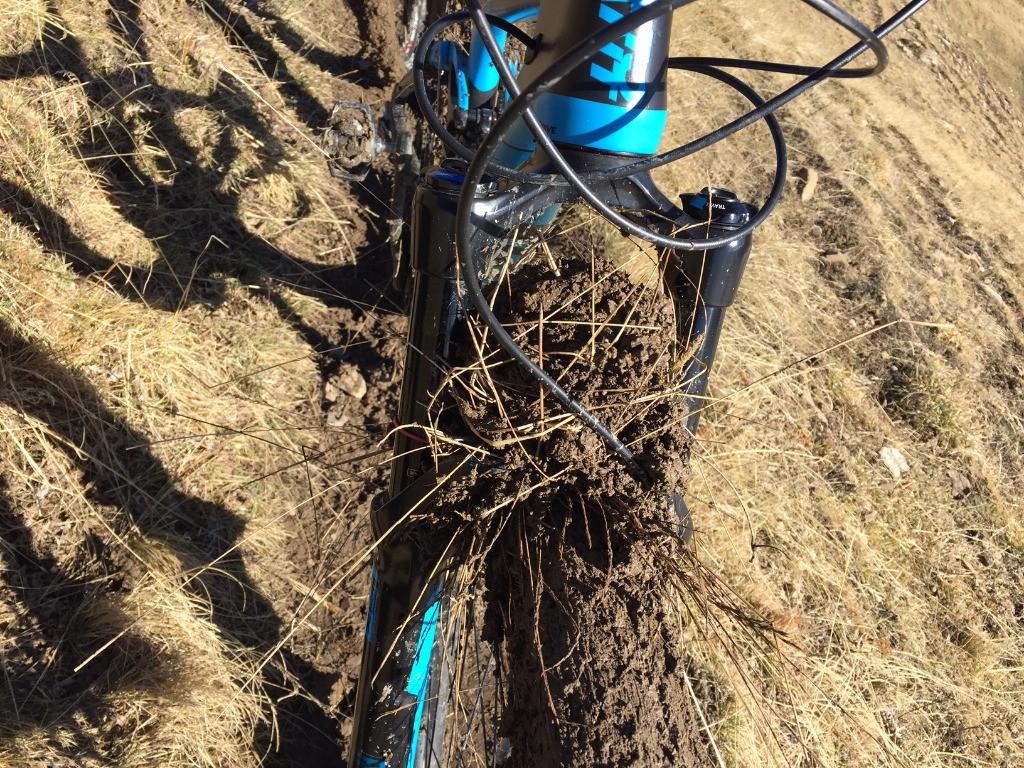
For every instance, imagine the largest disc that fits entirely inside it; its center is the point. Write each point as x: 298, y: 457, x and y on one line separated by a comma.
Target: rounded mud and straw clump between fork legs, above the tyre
x: 609, y: 342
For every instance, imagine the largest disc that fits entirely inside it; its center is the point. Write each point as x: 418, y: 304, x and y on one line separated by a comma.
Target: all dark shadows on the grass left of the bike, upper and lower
x: 188, y: 208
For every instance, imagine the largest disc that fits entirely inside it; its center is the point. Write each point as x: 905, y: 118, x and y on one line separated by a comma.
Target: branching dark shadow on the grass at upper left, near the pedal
x: 186, y: 205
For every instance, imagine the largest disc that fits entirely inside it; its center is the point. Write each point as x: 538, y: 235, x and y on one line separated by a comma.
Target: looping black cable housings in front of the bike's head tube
x: 520, y: 107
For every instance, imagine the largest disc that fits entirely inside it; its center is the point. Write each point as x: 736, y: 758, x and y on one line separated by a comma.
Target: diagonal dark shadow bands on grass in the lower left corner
x: 72, y: 646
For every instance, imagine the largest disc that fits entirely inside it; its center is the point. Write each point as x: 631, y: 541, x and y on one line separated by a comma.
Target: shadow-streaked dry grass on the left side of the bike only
x: 165, y: 236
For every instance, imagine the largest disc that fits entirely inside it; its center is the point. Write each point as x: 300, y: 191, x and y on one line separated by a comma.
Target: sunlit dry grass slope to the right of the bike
x: 882, y: 311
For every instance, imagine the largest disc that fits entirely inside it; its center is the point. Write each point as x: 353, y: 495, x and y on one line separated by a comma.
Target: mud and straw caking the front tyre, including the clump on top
x: 577, y: 580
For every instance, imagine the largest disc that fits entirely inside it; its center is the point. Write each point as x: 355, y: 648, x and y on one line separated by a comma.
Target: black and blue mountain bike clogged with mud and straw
x: 514, y: 114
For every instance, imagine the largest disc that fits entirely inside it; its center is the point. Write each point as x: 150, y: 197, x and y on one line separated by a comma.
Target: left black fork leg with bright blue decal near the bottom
x: 407, y: 590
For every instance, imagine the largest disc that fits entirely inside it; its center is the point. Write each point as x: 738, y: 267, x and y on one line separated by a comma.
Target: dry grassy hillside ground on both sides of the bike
x: 200, y: 354
